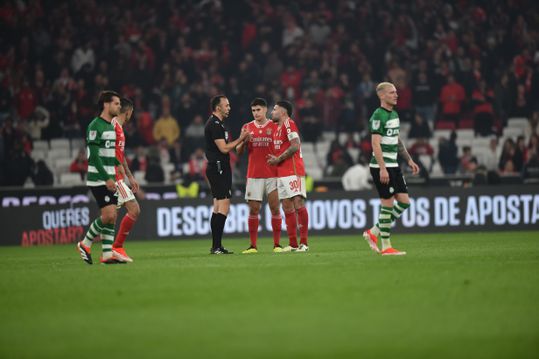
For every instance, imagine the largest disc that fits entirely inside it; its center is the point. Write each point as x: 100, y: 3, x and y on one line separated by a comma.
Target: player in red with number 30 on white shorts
x: 290, y: 175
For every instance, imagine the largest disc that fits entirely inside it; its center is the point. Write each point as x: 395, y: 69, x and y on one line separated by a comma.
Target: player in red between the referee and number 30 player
x: 261, y: 177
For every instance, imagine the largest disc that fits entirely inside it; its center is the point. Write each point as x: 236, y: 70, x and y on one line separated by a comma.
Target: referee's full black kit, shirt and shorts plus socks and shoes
x: 219, y: 175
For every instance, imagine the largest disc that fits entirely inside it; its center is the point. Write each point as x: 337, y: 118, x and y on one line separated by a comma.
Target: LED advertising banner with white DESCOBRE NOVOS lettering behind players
x: 432, y: 210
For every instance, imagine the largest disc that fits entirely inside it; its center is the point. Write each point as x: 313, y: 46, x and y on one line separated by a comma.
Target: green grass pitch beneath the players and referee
x: 454, y: 295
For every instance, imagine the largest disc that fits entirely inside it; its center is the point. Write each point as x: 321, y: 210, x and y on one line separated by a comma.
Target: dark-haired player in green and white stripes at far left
x: 101, y: 141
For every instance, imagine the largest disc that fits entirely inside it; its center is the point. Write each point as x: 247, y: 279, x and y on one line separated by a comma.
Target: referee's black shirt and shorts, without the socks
x: 218, y: 171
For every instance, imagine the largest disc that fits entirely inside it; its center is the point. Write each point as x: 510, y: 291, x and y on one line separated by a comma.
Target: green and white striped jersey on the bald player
x: 386, y: 123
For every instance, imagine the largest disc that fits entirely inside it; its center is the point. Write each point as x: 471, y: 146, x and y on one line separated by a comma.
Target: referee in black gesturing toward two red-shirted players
x: 218, y: 171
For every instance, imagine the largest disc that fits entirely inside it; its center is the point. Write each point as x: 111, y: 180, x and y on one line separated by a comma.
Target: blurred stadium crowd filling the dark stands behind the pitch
x: 466, y: 65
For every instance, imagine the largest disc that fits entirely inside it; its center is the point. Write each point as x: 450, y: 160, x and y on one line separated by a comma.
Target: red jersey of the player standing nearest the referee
x: 259, y: 147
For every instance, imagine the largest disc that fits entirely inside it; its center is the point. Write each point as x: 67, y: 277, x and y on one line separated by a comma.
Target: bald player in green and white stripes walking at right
x: 386, y: 174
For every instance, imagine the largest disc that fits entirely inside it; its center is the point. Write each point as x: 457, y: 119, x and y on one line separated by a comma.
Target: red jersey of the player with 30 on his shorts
x: 281, y: 142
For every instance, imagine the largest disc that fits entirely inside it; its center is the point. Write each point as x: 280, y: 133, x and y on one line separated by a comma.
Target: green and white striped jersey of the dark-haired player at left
x: 101, y: 133
